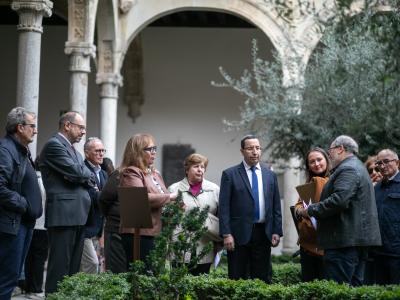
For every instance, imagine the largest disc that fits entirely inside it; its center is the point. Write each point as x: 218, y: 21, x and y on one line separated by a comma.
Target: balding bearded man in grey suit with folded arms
x: 67, y: 181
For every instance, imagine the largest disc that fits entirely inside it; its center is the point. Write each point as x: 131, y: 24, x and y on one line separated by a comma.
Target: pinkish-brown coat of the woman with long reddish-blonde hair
x: 133, y: 176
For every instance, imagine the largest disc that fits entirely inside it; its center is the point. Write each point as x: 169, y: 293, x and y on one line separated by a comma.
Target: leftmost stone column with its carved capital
x: 30, y: 33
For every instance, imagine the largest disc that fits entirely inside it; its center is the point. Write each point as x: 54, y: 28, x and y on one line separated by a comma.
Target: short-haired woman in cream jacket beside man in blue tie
x: 198, y: 192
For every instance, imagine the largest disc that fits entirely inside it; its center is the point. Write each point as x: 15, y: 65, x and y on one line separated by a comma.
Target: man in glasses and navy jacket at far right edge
x: 387, y: 194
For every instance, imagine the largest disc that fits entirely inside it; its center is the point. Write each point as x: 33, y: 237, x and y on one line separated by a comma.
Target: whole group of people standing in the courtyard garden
x: 80, y: 197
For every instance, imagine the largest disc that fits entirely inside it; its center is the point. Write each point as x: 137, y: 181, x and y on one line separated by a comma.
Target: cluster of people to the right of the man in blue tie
x: 351, y: 233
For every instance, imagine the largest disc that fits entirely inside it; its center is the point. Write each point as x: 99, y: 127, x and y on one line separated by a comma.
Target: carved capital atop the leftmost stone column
x: 31, y: 14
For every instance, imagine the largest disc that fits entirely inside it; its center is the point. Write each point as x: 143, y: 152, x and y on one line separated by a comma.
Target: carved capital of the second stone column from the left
x: 80, y: 54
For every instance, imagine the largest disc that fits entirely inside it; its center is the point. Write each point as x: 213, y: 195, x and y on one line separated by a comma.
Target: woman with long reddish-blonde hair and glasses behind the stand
x: 137, y: 170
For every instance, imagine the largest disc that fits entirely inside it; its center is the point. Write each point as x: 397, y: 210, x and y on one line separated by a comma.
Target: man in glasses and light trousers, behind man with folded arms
x: 94, y: 154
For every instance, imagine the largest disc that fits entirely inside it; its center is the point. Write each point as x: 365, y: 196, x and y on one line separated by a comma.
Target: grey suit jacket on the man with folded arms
x: 66, y: 180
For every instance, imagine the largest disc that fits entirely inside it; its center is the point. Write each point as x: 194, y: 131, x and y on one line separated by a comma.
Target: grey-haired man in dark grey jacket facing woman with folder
x: 347, y: 218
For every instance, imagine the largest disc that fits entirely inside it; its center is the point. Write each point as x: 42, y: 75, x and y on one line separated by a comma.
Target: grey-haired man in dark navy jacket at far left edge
x: 20, y: 197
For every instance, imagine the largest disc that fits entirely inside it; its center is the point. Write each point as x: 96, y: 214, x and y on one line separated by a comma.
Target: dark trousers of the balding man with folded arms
x: 65, y: 253
